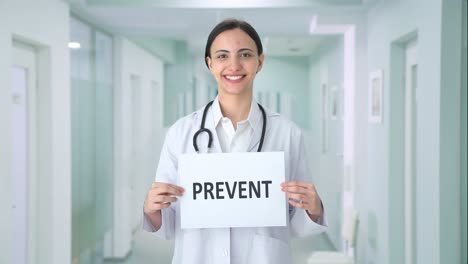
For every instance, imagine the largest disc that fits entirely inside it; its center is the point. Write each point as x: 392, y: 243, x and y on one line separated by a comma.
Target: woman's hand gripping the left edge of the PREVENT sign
x: 160, y: 196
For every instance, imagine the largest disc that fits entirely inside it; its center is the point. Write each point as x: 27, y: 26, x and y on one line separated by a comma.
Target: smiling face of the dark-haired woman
x: 234, y: 62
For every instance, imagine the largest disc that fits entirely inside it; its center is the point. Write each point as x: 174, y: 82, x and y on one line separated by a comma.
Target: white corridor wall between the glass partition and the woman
x: 133, y: 174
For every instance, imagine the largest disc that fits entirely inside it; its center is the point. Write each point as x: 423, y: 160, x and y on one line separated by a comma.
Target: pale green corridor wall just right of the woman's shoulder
x: 326, y: 66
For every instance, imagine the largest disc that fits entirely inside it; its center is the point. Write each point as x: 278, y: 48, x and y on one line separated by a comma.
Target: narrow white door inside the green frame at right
x: 411, y: 76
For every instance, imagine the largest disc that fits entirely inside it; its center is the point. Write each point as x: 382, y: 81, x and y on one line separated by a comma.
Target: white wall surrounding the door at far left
x: 43, y: 25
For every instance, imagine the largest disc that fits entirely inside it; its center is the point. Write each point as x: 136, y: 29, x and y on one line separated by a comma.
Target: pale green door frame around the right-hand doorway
x: 396, y: 214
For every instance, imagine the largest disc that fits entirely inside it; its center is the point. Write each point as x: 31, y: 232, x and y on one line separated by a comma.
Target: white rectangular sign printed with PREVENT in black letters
x: 232, y: 190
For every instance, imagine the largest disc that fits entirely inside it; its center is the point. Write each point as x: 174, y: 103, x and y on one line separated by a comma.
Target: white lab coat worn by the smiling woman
x: 267, y: 245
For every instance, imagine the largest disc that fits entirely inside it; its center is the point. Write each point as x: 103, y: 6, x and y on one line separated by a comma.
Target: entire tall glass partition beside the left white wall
x: 92, y: 140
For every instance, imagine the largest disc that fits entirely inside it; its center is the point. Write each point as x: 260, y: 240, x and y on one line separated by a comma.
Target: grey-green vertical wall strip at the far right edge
x: 450, y: 113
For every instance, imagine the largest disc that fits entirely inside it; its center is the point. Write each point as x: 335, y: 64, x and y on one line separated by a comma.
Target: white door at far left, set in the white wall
x: 23, y: 91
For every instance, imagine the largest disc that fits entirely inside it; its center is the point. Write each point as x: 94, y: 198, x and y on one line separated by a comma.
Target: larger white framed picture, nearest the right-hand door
x: 375, y: 99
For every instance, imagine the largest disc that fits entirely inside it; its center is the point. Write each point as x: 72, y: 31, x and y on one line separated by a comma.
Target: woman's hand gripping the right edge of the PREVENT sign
x: 304, y: 195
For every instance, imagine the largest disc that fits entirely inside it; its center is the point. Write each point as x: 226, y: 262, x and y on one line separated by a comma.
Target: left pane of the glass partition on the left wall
x: 82, y: 104
